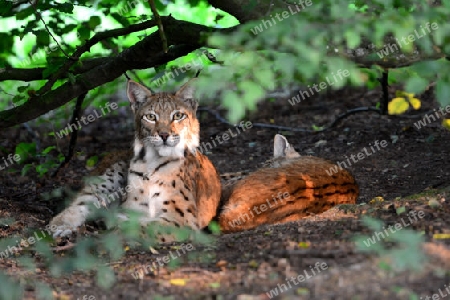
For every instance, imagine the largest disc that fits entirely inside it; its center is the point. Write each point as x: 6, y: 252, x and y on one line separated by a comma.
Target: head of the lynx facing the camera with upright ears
x: 165, y: 122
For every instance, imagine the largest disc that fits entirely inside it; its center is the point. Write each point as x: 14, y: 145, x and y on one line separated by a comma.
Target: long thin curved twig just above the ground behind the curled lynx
x: 294, y: 129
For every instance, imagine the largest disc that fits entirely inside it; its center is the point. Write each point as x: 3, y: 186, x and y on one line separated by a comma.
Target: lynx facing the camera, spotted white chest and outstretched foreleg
x: 166, y: 178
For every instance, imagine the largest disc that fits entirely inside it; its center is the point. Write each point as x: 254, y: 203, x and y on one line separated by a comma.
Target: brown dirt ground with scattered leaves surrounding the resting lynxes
x: 410, y: 174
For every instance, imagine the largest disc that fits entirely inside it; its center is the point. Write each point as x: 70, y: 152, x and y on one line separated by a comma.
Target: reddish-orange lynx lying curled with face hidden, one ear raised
x: 287, y: 189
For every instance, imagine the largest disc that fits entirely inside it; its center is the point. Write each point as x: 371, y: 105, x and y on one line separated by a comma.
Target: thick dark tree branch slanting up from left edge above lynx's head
x: 185, y: 36
